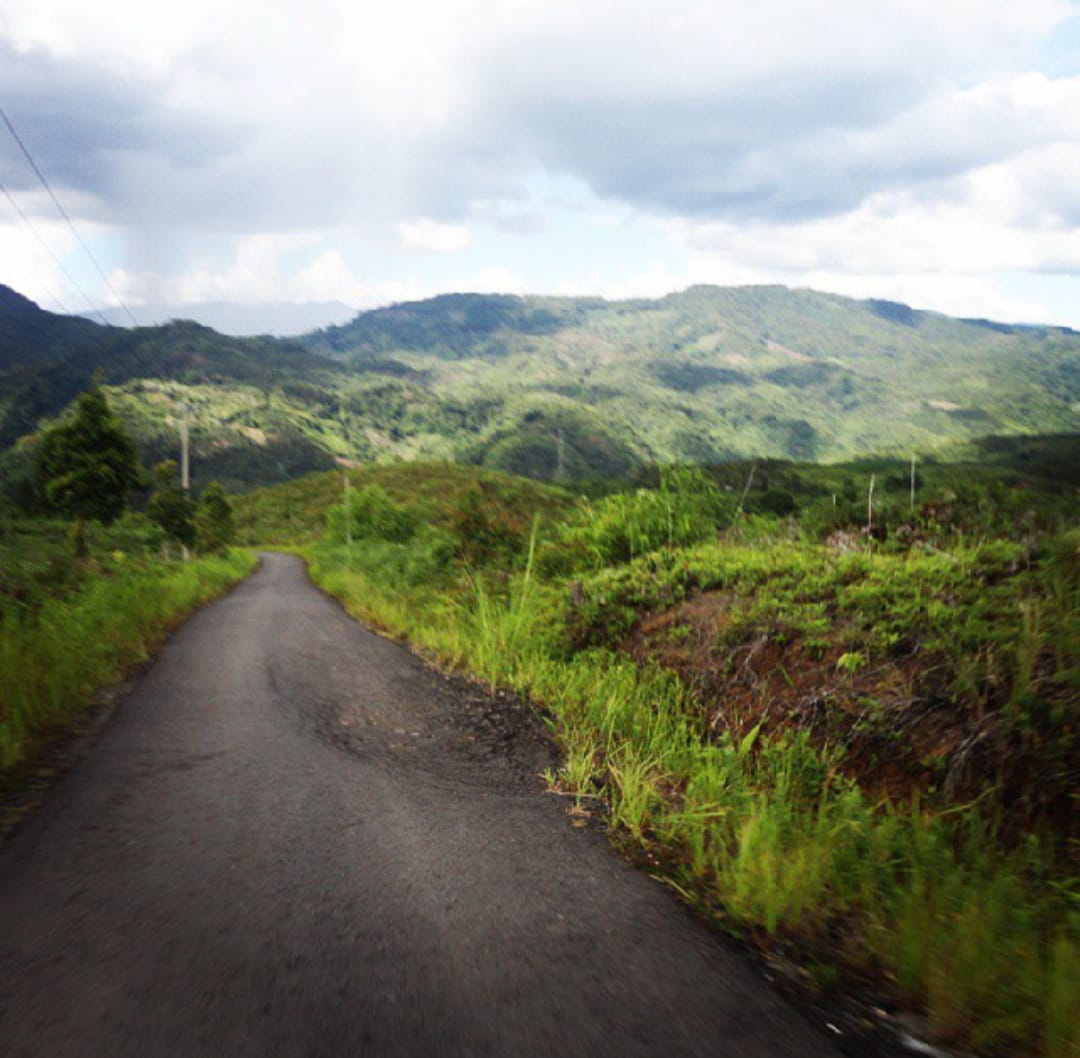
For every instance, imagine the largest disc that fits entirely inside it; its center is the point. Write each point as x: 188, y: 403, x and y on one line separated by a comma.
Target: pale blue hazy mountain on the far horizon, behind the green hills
x: 238, y: 320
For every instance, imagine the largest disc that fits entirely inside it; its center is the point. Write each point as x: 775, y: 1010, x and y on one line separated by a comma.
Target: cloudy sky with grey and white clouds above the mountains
x: 250, y: 151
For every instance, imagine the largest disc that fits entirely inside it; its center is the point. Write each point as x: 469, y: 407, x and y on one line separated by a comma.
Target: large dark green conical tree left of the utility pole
x: 88, y: 465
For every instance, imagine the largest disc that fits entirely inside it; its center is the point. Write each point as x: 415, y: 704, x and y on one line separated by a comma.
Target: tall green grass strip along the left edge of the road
x: 53, y: 660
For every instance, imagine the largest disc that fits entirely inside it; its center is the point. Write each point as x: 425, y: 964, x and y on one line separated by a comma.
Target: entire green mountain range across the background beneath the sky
x: 559, y: 387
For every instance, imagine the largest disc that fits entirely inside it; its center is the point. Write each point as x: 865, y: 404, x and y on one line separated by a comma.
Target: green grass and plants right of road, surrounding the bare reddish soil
x: 764, y: 828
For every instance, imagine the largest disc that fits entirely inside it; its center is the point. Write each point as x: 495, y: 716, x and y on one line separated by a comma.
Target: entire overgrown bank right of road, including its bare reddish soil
x: 857, y: 743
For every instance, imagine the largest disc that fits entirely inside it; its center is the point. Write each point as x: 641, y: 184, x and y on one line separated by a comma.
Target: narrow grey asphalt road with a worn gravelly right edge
x: 294, y: 839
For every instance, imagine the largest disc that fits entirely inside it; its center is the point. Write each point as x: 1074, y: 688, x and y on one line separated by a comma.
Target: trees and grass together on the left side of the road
x: 83, y: 600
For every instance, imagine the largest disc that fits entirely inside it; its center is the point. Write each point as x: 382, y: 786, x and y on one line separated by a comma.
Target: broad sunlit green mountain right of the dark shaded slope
x: 714, y: 373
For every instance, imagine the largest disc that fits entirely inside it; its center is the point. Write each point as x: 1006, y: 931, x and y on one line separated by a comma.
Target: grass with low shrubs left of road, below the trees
x: 75, y: 625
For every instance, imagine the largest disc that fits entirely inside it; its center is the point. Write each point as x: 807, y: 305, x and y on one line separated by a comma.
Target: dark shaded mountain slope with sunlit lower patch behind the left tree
x: 47, y: 360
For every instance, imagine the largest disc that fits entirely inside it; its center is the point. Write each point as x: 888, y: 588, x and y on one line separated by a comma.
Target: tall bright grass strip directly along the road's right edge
x: 772, y: 836
